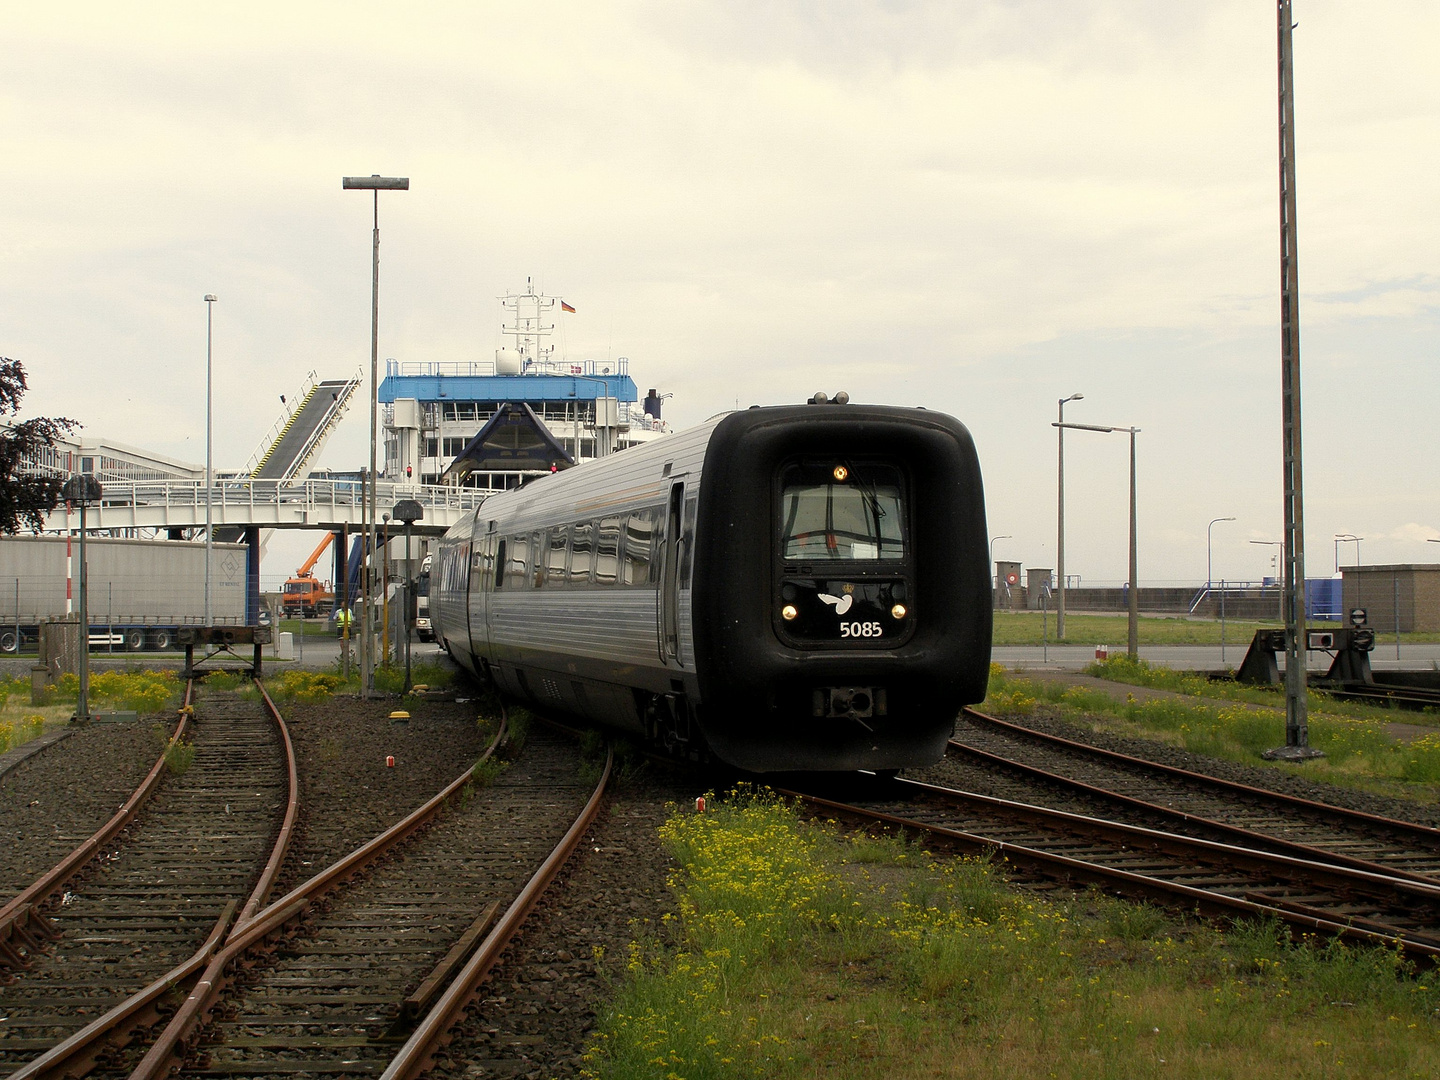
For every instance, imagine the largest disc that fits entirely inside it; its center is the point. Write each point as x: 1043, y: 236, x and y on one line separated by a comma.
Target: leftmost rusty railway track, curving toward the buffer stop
x: 150, y: 889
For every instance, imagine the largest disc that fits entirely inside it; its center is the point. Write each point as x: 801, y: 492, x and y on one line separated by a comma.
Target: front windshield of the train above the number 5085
x: 858, y: 519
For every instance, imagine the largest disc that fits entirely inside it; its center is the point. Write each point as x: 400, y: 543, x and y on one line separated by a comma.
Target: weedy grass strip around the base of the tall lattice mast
x: 1360, y: 752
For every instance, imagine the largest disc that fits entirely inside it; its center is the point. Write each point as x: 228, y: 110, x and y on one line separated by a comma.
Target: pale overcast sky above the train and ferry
x: 973, y: 207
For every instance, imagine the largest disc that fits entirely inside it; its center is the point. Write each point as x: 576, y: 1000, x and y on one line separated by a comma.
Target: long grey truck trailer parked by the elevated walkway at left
x: 140, y: 591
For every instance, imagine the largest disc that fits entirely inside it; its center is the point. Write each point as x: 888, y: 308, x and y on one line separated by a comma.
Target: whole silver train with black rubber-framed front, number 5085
x: 783, y: 588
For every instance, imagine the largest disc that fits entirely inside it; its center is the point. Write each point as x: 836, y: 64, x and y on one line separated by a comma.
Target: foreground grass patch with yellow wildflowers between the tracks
x: 798, y: 953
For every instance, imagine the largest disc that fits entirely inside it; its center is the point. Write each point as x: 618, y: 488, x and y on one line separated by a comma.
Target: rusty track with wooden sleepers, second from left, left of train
x: 372, y: 978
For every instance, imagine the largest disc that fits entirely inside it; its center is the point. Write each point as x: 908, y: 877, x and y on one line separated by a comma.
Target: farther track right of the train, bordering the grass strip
x: 1007, y: 760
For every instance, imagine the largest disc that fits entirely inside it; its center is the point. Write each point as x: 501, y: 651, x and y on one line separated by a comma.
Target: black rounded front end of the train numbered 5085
x: 842, y: 594
